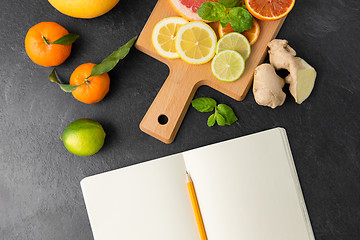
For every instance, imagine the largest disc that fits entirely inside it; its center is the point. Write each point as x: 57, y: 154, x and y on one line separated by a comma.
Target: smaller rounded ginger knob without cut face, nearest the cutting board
x: 268, y: 86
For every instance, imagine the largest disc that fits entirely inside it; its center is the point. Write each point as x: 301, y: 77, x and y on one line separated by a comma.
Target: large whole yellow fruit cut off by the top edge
x: 83, y: 8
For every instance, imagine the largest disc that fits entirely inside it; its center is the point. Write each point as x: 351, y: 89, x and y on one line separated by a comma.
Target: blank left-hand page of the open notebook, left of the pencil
x: 146, y: 201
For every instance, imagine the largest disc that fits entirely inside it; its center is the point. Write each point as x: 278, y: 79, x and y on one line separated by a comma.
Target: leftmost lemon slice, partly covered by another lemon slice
x: 164, y: 35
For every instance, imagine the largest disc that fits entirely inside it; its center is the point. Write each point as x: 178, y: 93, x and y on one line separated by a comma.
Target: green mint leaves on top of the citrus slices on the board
x: 238, y: 16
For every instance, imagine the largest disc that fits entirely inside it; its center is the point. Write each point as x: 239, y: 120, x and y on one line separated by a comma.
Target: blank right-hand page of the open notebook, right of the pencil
x: 248, y: 188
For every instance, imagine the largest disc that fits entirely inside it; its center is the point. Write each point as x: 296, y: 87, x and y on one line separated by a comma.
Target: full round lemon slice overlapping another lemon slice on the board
x: 196, y: 42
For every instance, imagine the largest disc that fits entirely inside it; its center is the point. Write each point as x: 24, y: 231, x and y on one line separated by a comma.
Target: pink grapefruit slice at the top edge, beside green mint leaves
x: 187, y: 8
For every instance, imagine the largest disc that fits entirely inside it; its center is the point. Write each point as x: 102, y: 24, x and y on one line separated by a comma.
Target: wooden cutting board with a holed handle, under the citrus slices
x: 168, y: 110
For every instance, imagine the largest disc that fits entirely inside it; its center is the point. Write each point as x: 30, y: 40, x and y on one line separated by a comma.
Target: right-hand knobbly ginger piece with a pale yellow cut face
x: 302, y: 76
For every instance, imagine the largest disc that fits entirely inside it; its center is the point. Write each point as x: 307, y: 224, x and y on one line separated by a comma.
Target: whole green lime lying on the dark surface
x: 83, y: 137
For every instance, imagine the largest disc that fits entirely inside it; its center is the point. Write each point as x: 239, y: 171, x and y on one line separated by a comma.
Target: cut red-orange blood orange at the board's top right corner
x: 269, y: 9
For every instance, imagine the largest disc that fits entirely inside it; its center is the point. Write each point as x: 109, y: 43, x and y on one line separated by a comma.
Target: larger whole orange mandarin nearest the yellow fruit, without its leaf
x: 46, y: 54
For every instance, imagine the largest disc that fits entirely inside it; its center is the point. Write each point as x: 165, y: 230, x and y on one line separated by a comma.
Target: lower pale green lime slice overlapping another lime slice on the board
x: 228, y: 65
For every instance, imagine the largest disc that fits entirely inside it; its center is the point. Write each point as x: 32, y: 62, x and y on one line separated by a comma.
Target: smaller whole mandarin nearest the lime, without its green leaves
x: 94, y: 88
